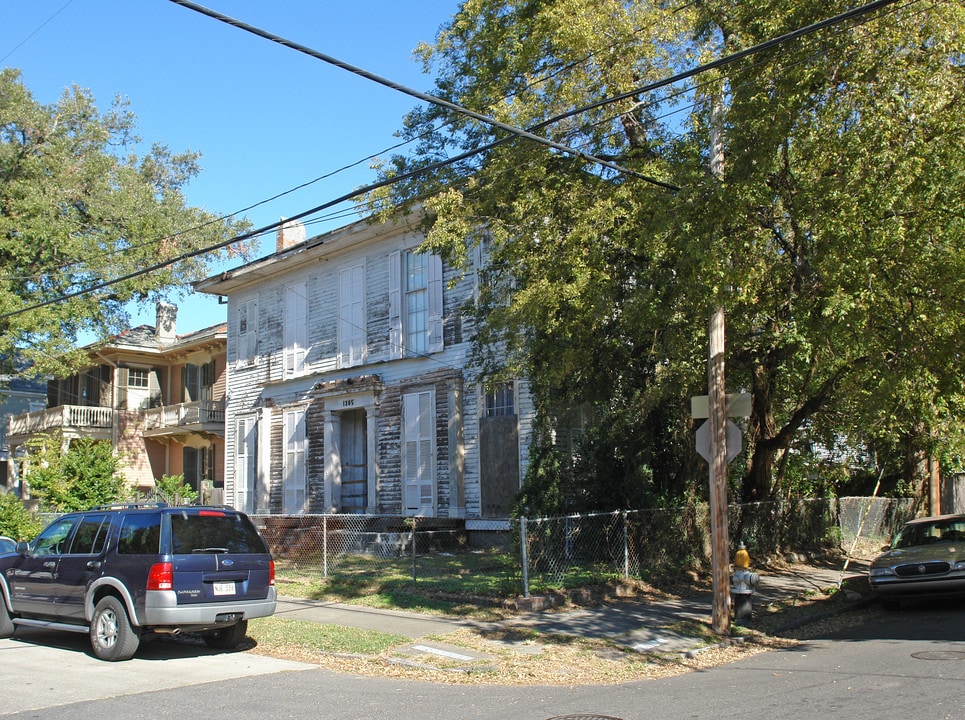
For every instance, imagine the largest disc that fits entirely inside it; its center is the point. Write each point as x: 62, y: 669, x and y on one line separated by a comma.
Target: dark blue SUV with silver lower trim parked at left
x: 126, y: 572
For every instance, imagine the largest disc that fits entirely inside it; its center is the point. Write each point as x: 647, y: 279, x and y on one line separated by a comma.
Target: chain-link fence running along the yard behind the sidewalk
x: 347, y: 555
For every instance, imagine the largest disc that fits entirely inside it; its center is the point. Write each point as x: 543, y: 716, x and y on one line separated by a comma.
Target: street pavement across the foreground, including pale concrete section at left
x: 909, y: 664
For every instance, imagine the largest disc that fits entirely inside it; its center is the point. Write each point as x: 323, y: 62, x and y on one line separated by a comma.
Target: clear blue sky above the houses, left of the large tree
x: 265, y: 118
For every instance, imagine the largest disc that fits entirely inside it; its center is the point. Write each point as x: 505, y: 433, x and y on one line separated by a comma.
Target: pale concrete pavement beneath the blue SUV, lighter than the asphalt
x: 43, y: 668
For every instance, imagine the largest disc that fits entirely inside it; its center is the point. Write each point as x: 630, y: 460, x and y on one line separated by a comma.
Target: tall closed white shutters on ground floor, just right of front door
x: 417, y: 411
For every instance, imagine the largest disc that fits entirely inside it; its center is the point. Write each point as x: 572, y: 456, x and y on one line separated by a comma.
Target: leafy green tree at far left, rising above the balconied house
x: 79, y: 206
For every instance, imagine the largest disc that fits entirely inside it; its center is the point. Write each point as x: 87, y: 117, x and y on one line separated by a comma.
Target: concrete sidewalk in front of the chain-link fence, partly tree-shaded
x: 639, y: 625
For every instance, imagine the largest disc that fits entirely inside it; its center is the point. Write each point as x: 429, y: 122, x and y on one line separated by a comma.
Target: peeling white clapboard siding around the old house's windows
x: 376, y: 386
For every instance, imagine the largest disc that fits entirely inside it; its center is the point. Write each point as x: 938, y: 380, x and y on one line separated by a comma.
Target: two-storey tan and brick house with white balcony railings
x: 156, y: 396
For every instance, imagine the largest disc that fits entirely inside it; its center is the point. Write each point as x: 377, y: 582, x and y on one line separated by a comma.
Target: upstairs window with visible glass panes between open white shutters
x: 415, y: 304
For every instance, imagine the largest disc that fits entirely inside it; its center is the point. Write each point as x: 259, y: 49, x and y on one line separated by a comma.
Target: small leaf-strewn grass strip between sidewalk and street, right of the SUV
x: 273, y: 633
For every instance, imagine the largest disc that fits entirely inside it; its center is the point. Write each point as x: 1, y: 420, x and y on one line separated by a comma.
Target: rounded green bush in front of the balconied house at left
x: 86, y: 475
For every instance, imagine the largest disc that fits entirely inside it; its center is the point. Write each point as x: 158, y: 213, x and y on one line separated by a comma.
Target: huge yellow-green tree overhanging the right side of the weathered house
x: 821, y: 187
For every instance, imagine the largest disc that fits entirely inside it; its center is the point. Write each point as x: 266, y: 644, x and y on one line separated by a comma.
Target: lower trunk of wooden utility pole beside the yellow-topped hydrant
x: 720, y: 544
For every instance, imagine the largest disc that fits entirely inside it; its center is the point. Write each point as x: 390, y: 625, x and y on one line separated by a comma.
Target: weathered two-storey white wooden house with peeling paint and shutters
x: 348, y: 386
